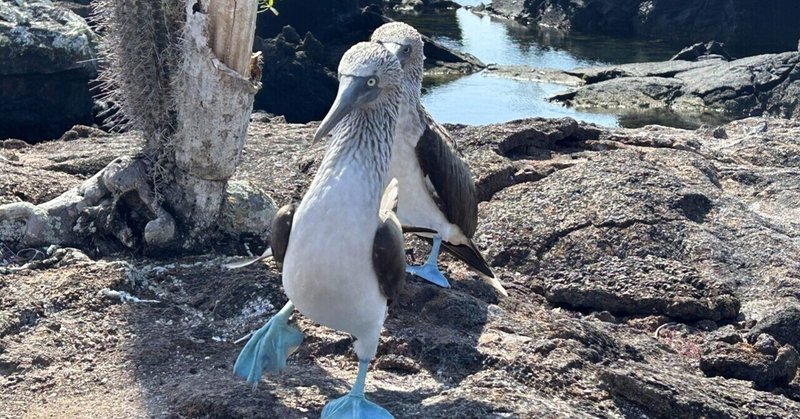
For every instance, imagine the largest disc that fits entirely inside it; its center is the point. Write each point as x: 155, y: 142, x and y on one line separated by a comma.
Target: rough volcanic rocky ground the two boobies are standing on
x: 652, y: 273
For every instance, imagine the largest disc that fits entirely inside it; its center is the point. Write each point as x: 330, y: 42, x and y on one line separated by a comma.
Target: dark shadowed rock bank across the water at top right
x: 739, y: 23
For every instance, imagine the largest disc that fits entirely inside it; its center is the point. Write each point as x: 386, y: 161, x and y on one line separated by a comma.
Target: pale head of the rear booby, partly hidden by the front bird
x: 404, y: 42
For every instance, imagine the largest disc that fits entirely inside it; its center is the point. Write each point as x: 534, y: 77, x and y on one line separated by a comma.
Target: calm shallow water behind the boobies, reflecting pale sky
x: 482, y: 99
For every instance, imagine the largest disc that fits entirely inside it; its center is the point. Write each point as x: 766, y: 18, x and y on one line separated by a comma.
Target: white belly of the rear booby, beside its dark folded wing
x: 415, y: 206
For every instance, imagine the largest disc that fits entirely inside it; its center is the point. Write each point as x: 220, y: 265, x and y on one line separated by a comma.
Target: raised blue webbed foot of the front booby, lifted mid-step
x: 269, y: 347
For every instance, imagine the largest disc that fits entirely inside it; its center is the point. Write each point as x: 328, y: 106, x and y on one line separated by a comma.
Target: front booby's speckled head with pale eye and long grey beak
x: 369, y: 77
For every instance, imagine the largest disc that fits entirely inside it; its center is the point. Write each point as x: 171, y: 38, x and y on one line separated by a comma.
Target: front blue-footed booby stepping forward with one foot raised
x: 344, y: 258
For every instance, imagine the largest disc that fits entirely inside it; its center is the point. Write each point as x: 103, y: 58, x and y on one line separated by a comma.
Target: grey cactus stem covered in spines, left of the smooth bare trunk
x: 140, y: 47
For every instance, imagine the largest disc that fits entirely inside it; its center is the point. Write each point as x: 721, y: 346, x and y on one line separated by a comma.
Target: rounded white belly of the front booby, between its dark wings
x: 327, y: 271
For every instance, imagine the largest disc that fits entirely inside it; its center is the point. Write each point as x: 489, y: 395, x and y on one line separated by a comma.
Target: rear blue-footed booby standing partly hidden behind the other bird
x: 436, y: 186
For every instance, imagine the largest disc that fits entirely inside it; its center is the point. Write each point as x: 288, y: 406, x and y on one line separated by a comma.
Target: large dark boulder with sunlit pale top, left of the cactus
x: 49, y: 58
